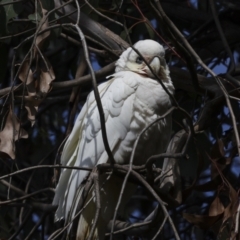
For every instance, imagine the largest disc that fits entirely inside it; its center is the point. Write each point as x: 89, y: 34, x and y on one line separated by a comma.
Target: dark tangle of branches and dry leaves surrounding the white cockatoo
x: 45, y: 80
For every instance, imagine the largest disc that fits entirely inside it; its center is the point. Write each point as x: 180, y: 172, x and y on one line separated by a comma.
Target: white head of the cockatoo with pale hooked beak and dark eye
x: 152, y: 52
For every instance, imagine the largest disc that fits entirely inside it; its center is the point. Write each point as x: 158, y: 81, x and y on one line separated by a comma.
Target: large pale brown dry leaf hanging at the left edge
x: 10, y: 134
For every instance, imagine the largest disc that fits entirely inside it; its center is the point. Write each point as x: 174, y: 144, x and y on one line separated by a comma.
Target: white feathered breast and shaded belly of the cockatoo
x: 149, y: 102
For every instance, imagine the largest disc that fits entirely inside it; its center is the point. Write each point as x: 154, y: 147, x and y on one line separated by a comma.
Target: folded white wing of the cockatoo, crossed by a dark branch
x: 84, y: 147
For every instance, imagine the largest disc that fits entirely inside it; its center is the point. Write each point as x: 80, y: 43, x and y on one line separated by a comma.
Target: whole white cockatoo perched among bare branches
x: 132, y: 99
